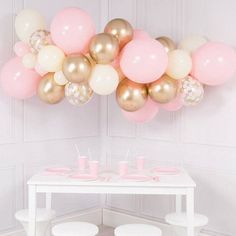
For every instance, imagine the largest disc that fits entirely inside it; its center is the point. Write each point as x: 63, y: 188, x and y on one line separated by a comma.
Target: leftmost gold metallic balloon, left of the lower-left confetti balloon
x: 49, y: 91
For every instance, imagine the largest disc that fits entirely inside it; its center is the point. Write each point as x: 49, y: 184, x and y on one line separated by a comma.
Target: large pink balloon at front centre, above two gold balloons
x: 144, y: 60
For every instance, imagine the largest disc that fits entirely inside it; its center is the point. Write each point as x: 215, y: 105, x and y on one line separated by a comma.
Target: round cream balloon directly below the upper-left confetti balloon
x: 50, y: 58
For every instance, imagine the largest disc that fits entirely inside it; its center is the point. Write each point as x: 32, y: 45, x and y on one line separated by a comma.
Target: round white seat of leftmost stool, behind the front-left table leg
x: 41, y: 215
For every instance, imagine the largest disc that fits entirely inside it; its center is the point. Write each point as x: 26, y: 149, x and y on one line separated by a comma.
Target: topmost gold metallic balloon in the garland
x: 120, y: 28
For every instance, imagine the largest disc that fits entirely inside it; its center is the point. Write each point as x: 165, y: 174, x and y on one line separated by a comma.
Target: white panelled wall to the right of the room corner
x: 203, y: 138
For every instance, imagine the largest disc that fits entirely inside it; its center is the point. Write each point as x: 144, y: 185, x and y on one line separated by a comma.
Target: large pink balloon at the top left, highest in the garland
x: 72, y: 29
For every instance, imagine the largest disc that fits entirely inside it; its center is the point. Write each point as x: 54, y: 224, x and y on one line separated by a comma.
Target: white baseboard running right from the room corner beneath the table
x: 113, y: 219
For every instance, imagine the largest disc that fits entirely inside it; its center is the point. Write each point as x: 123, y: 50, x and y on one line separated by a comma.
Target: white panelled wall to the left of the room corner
x: 33, y: 134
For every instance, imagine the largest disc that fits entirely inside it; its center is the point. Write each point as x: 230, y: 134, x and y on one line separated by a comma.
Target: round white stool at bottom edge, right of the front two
x: 137, y: 230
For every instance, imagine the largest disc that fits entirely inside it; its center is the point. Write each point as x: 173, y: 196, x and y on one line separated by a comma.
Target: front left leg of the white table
x: 32, y: 204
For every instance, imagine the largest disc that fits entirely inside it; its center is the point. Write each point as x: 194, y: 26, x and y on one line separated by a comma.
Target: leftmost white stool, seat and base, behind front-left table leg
x: 43, y: 220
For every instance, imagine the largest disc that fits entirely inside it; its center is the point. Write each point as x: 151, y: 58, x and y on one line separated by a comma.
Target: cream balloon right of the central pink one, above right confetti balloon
x: 179, y: 65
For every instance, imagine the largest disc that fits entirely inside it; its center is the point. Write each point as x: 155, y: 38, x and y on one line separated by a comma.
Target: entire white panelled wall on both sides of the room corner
x: 202, y: 139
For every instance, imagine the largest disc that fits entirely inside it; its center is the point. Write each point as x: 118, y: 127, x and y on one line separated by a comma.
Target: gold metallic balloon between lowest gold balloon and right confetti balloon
x: 163, y: 90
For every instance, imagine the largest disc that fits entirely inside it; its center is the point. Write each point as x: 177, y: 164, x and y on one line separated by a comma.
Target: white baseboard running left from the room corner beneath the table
x: 93, y: 216
